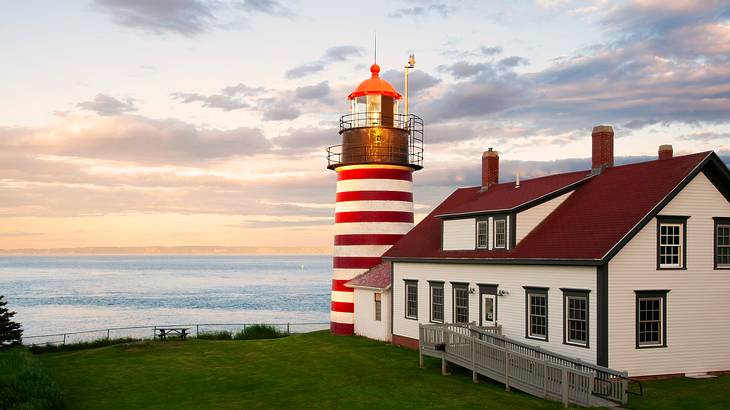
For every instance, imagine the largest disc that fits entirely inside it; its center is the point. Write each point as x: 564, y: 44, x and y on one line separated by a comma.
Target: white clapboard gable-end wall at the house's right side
x: 698, y: 329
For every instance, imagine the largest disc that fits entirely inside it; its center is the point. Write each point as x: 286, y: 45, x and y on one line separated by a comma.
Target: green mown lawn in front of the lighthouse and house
x: 312, y: 370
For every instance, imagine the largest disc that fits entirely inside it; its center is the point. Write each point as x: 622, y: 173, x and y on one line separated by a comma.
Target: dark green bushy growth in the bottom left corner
x: 24, y: 384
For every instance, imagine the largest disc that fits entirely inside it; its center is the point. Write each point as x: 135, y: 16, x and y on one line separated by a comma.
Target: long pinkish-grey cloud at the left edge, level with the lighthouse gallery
x: 136, y: 139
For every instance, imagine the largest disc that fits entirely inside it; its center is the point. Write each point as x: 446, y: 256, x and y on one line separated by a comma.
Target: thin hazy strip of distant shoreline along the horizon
x: 170, y: 251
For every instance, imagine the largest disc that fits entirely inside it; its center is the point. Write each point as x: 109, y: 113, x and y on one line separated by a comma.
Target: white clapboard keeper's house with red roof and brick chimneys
x: 625, y: 266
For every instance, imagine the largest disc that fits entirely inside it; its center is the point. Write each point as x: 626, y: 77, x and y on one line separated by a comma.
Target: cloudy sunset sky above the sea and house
x: 205, y: 122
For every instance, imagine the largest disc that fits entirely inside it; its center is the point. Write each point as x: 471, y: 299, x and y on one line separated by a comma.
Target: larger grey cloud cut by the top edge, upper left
x: 186, y: 17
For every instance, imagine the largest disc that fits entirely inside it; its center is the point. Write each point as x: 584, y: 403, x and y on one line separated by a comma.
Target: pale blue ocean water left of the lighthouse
x: 75, y: 293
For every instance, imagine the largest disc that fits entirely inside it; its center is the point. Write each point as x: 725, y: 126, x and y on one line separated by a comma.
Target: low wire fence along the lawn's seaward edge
x: 150, y: 332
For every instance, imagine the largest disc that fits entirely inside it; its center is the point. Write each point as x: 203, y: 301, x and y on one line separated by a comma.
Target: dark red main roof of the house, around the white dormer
x: 586, y: 226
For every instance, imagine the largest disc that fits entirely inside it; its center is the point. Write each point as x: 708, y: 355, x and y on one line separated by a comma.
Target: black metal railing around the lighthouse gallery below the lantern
x: 411, y: 123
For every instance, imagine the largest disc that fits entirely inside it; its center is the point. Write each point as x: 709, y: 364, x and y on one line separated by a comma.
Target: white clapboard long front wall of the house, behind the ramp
x: 510, y: 308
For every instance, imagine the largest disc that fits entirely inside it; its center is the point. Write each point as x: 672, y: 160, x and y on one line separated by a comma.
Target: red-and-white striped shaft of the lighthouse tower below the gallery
x: 374, y: 210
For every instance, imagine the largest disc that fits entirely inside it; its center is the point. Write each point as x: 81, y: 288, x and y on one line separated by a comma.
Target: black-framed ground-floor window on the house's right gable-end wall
x: 651, y: 318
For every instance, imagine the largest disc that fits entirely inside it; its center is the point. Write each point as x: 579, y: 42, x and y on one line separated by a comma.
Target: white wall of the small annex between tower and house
x: 365, y: 323
